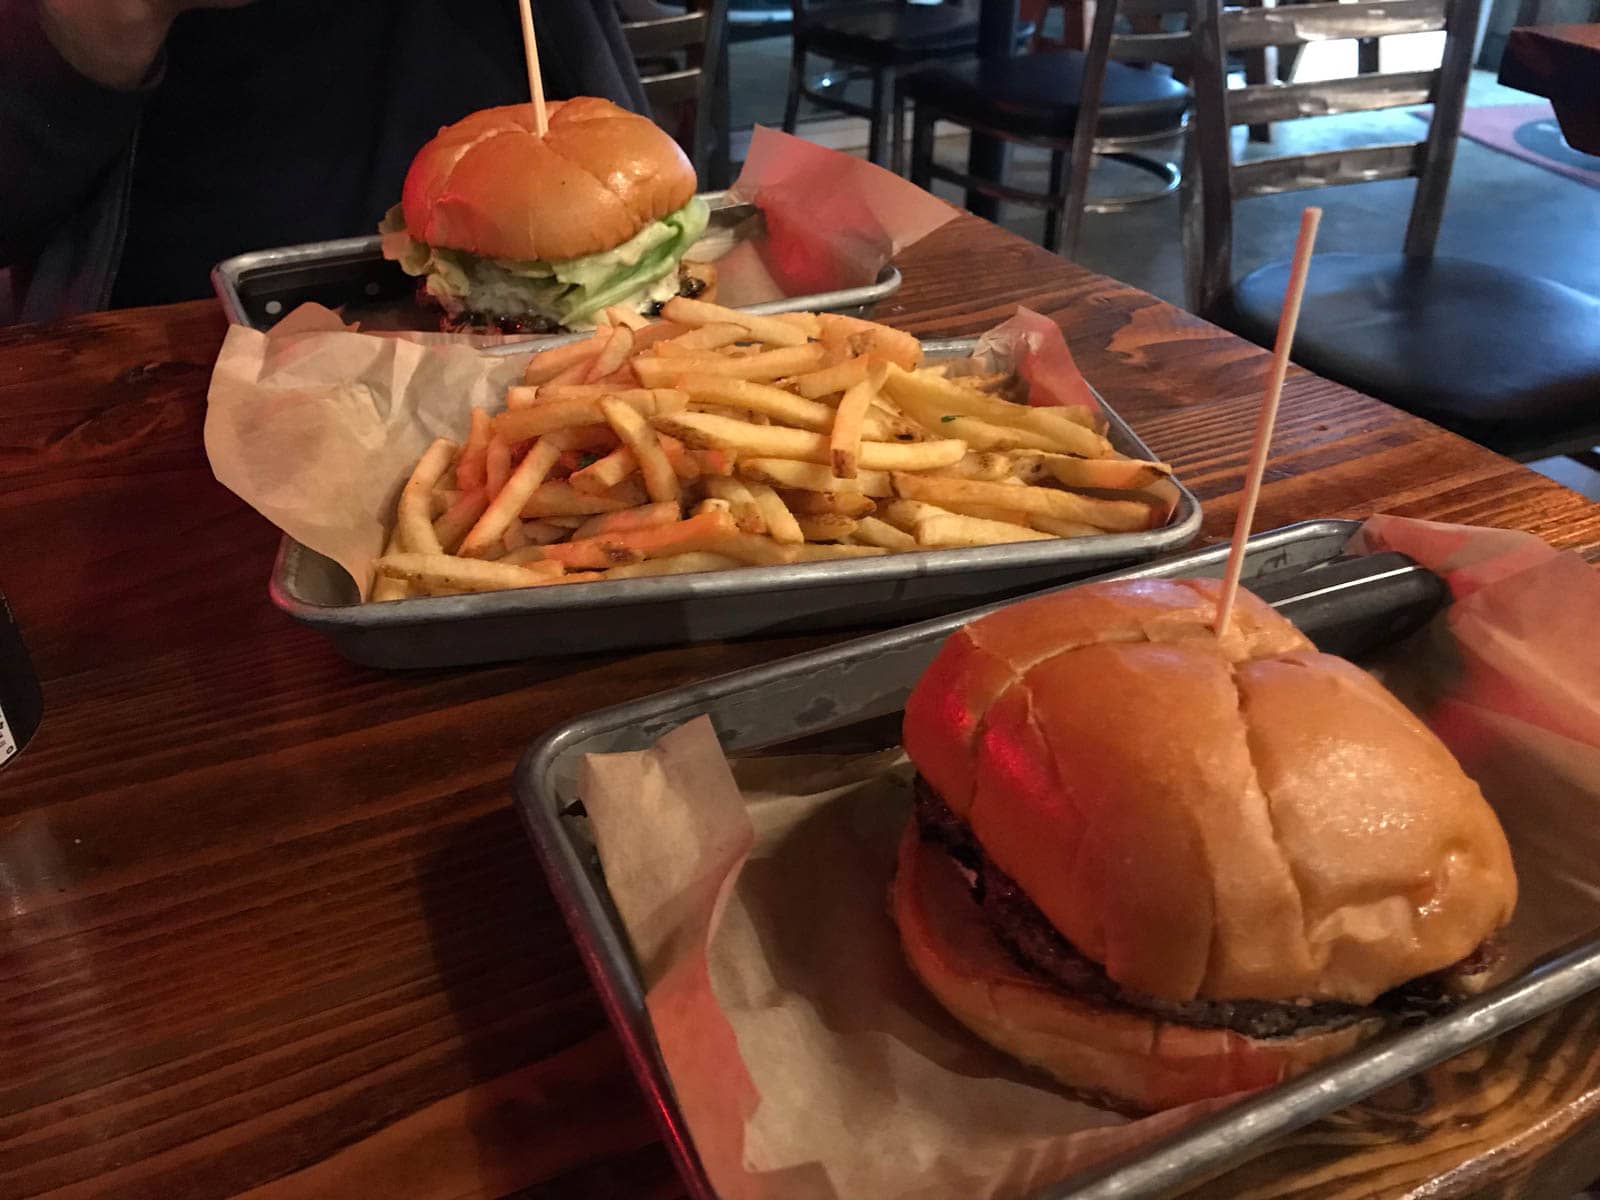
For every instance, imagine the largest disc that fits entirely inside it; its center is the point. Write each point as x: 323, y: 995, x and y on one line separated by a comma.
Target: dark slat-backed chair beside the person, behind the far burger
x: 682, y: 57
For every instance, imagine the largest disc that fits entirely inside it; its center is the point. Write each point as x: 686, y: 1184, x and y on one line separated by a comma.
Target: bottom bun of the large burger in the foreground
x: 1114, y: 1057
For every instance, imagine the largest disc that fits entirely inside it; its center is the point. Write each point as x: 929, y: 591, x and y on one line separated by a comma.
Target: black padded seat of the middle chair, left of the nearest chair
x: 1038, y: 97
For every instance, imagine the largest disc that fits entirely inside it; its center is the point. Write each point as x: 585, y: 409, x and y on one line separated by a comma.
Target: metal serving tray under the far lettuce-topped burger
x: 354, y: 278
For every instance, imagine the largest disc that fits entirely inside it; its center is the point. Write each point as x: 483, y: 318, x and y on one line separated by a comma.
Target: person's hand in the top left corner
x: 114, y: 42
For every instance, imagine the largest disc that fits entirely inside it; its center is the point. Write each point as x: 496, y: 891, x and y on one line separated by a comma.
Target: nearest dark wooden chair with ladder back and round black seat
x: 1506, y: 359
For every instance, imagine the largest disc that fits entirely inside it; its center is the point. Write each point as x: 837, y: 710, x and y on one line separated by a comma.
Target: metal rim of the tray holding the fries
x: 745, y: 582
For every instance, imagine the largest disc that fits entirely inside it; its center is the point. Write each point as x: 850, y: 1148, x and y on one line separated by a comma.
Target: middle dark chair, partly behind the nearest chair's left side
x: 1087, y: 103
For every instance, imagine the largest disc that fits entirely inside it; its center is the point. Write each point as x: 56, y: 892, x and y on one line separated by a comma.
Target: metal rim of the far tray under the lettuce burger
x: 228, y: 279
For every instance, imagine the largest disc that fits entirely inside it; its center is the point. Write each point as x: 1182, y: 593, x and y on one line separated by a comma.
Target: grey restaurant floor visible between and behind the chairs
x: 1500, y: 210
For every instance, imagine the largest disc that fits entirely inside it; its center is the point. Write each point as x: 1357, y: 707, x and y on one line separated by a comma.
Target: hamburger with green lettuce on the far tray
x: 526, y: 234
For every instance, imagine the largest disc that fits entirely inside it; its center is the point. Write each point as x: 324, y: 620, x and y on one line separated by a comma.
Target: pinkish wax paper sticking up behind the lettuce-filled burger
x: 833, y: 220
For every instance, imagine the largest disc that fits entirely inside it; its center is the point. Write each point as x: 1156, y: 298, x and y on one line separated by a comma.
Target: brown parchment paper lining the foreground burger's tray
x: 810, y: 1063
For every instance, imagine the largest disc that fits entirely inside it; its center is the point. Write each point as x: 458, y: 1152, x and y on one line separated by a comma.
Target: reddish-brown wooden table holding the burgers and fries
x: 271, y: 927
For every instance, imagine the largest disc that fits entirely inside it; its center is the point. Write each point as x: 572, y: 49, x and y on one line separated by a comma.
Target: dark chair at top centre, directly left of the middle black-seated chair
x: 879, y: 39
